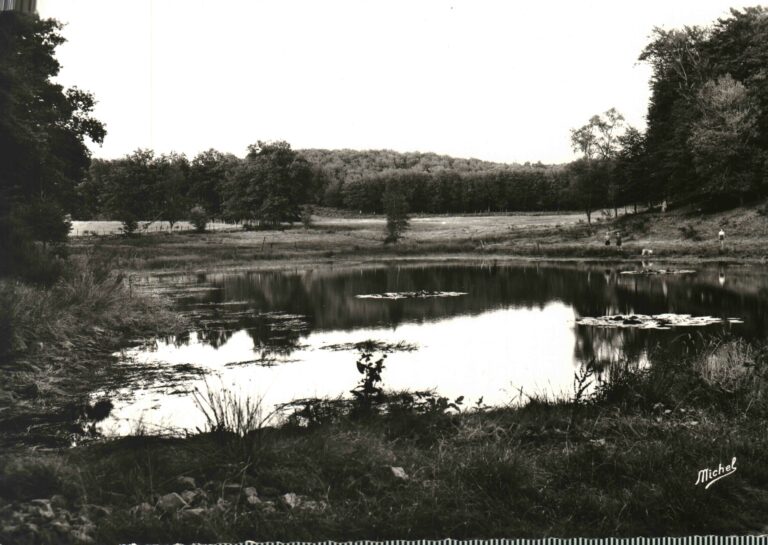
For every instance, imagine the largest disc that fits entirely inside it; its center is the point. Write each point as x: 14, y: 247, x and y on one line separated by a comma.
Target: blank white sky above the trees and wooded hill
x: 496, y: 80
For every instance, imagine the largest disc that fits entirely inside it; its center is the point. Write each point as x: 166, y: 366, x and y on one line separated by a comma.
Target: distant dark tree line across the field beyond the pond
x: 273, y: 180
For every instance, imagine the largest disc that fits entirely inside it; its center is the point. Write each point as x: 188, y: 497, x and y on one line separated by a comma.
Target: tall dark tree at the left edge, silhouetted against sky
x: 43, y: 128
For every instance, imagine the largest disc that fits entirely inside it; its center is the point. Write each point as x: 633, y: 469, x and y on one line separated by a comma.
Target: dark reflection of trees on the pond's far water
x: 327, y: 298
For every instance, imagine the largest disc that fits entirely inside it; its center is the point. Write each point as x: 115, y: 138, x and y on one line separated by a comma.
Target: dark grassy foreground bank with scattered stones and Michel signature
x: 621, y: 463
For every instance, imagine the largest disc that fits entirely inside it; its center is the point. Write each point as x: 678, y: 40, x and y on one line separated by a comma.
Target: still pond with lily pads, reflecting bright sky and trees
x: 502, y: 332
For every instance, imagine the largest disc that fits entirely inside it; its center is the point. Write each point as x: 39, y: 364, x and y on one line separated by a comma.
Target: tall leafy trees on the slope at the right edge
x: 706, y: 140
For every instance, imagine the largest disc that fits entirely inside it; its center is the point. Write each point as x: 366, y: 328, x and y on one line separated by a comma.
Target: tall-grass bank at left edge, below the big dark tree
x: 57, y: 343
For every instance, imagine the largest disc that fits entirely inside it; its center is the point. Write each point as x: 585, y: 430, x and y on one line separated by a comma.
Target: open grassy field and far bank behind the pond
x: 676, y: 235
